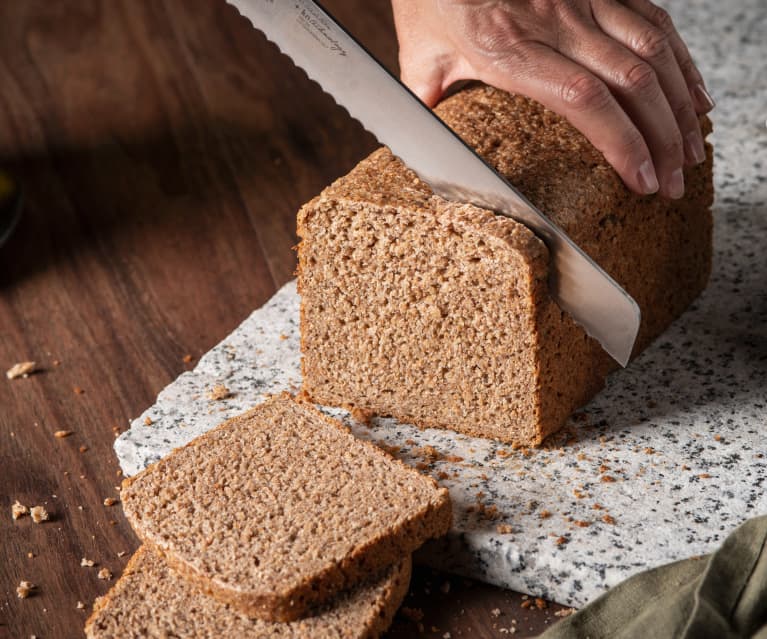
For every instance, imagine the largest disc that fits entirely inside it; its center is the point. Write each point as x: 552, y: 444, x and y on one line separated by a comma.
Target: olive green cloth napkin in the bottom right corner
x: 717, y: 596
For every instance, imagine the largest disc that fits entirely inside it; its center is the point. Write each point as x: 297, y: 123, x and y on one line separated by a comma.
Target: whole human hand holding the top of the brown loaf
x: 617, y: 70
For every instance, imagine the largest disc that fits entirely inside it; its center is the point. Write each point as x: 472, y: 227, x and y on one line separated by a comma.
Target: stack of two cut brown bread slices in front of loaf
x: 278, y: 523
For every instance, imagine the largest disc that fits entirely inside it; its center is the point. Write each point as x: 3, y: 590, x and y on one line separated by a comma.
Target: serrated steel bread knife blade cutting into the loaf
x: 318, y: 44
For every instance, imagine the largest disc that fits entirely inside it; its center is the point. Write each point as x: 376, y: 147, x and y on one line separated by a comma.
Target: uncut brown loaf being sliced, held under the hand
x: 439, y: 313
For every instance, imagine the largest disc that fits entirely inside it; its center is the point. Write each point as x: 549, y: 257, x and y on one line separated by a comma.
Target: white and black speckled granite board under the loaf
x: 660, y: 466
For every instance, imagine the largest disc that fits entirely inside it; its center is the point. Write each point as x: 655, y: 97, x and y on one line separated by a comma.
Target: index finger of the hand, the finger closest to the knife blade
x: 565, y: 87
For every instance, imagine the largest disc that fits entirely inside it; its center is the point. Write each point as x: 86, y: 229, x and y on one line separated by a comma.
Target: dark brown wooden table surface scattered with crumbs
x: 164, y: 148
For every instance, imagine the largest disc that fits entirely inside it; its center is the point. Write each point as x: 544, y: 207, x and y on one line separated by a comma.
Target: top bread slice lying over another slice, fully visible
x: 281, y: 508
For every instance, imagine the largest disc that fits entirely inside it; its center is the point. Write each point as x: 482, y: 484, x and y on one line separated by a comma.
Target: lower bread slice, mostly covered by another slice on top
x: 151, y: 601
